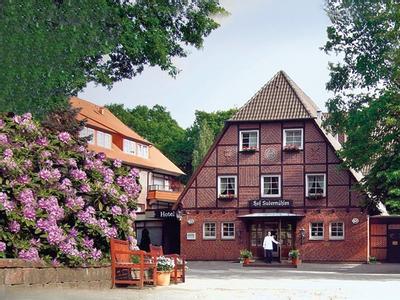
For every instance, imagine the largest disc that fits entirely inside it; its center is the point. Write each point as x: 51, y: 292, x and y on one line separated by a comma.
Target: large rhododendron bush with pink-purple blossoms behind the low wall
x: 60, y: 202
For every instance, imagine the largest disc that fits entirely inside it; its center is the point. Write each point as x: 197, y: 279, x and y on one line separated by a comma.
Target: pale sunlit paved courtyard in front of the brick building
x: 227, y: 280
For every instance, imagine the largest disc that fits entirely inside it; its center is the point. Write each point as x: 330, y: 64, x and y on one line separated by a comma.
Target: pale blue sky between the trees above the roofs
x: 257, y: 39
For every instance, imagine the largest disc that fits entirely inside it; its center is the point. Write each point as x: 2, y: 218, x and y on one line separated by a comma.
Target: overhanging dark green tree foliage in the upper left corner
x: 50, y: 49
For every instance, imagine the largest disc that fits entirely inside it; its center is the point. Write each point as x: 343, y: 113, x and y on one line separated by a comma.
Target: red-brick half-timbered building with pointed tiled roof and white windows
x: 274, y: 168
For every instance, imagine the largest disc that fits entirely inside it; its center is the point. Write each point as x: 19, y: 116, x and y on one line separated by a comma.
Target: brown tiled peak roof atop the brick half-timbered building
x: 279, y: 99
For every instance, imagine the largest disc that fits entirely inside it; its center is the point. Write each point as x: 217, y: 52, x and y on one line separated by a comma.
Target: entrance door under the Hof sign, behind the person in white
x: 258, y: 231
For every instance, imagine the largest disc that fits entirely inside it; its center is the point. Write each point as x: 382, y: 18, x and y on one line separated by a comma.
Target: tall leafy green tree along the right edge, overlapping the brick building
x: 366, y: 83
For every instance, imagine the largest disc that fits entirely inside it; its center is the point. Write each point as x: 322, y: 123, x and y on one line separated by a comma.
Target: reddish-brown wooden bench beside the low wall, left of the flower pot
x: 125, y: 271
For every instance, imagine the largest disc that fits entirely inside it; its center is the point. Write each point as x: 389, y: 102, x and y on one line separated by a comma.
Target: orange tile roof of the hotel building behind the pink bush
x: 110, y: 123
